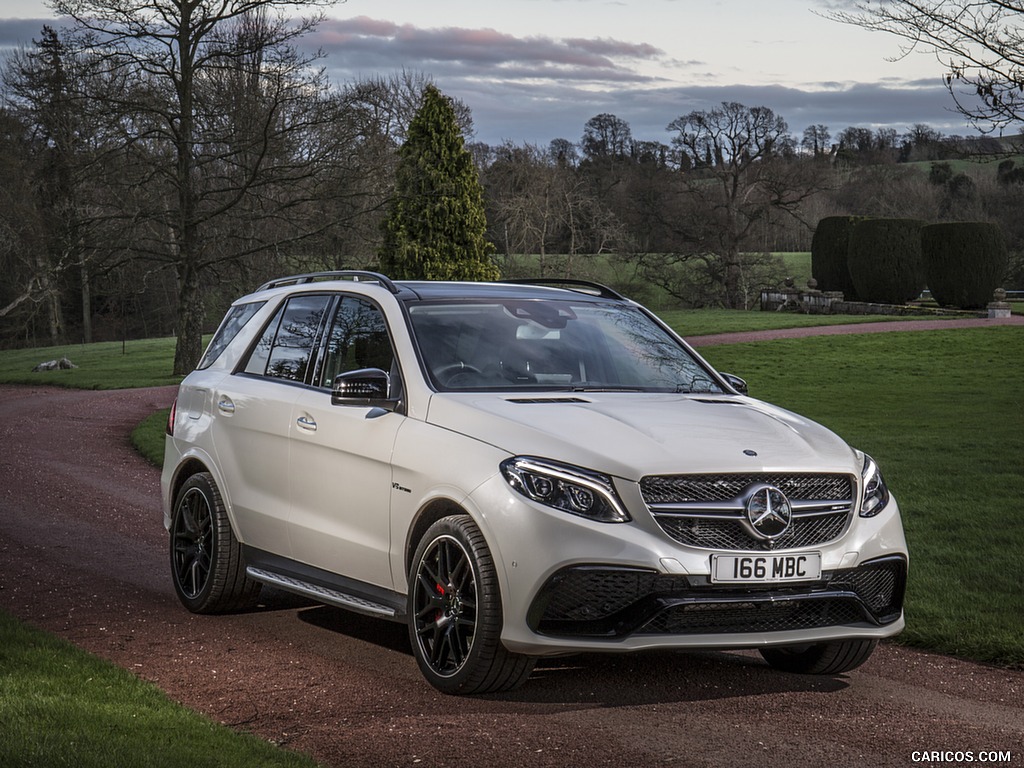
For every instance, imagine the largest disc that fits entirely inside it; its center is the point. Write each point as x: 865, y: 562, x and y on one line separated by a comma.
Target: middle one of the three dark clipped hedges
x: 885, y: 261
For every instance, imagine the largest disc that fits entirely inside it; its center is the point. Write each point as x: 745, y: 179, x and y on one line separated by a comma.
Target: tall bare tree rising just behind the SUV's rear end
x: 201, y: 175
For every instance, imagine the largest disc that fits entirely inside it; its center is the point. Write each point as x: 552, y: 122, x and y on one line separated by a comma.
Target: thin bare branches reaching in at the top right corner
x: 980, y: 44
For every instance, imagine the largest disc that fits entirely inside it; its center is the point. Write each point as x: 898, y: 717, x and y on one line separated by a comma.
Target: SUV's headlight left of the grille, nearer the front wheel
x: 573, y: 490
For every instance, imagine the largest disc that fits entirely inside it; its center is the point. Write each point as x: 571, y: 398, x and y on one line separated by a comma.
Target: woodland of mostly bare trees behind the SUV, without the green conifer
x: 153, y: 168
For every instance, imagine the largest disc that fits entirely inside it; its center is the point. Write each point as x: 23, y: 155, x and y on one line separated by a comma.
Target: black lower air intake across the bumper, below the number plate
x: 595, y: 602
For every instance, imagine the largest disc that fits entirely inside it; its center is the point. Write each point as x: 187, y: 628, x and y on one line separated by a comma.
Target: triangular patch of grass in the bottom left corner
x: 62, y: 707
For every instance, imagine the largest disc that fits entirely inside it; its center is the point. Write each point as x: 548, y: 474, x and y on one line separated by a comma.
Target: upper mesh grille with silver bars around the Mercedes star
x: 709, y: 511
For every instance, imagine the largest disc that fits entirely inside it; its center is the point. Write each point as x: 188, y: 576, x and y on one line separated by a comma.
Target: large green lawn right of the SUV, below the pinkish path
x: 944, y: 414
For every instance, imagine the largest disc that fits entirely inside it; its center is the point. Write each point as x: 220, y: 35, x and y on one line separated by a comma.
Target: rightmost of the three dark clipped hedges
x: 964, y: 263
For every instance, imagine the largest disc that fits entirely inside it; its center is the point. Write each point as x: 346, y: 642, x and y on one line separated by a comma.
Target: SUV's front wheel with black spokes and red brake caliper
x: 455, y: 614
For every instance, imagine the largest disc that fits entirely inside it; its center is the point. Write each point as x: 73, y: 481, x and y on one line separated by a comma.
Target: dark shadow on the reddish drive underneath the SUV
x: 601, y: 680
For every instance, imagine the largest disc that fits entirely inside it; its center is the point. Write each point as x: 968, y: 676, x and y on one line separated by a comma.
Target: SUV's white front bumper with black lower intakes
x: 571, y: 585
